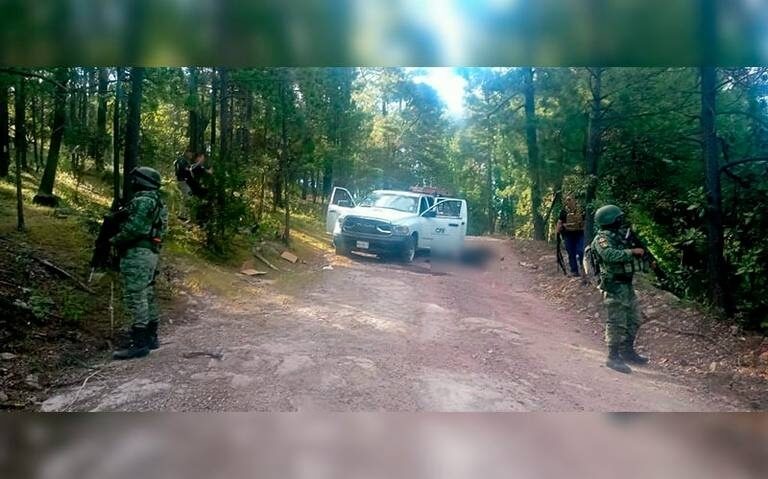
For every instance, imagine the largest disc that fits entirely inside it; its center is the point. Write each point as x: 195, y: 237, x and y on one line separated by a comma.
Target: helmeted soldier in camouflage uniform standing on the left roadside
x: 139, y: 241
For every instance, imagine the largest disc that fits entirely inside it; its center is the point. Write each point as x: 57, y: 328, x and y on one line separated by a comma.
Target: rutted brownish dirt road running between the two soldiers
x: 373, y: 336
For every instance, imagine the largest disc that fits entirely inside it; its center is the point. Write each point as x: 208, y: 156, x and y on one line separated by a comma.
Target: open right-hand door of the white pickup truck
x: 445, y: 226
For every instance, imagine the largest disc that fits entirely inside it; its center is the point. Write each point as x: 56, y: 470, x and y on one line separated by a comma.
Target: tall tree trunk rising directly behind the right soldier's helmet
x: 594, y: 148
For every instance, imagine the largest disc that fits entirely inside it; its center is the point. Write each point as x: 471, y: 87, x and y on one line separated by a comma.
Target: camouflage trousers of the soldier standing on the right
x: 623, y: 313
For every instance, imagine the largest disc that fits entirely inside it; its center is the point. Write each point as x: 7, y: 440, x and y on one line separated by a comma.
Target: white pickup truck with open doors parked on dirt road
x: 396, y: 223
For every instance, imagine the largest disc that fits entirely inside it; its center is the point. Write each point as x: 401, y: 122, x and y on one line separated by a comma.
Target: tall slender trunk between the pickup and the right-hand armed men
x: 534, y: 163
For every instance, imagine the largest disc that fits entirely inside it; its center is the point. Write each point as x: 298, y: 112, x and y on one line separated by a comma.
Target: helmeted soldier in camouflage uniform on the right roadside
x: 618, y: 263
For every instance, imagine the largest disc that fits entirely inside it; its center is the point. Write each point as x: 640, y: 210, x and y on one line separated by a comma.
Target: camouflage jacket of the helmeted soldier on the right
x: 617, y: 264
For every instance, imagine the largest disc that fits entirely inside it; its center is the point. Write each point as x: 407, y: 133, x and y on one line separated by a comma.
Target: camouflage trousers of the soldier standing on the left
x: 137, y: 268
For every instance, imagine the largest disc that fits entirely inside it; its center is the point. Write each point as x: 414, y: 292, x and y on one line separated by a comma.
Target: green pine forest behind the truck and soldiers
x: 684, y: 151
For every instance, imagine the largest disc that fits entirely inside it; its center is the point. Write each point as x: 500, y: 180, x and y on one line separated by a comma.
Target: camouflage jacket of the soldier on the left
x: 146, y: 219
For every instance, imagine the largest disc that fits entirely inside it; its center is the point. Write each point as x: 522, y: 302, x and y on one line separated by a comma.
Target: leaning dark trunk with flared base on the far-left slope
x: 44, y: 194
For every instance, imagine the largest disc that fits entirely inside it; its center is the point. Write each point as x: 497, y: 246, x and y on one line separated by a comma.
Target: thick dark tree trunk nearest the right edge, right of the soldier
x: 715, y: 238
